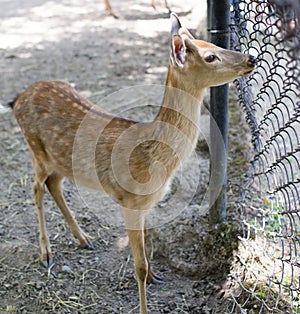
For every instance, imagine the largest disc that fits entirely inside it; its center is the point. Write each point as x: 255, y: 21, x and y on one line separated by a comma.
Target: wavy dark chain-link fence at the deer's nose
x: 268, y: 279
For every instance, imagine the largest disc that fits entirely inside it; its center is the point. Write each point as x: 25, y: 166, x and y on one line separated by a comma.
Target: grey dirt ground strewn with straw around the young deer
x: 77, y: 42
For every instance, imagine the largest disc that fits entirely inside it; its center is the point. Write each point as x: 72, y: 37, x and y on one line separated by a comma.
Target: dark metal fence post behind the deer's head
x: 219, y: 15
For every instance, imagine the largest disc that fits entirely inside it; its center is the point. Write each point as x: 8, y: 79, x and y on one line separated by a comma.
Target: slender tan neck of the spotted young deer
x: 176, y: 127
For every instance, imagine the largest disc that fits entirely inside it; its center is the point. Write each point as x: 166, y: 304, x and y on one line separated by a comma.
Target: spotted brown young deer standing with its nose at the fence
x: 132, y: 162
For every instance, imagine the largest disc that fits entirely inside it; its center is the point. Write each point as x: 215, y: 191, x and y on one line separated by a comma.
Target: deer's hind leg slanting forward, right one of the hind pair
x: 53, y: 183
